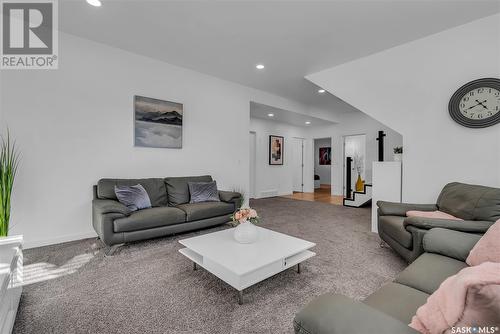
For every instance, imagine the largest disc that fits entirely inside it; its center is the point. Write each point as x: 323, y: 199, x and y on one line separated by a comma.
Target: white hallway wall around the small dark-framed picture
x: 278, y: 178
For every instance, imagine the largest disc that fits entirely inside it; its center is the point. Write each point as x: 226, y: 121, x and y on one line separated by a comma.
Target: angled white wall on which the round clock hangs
x: 408, y: 88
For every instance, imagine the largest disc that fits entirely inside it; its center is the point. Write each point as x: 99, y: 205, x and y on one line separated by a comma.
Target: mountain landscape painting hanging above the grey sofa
x: 157, y: 123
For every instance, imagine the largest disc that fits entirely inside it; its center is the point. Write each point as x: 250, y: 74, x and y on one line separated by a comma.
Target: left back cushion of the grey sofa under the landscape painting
x: 155, y: 187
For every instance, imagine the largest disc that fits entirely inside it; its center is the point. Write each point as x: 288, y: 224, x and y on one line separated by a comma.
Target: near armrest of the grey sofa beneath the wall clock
x: 473, y: 226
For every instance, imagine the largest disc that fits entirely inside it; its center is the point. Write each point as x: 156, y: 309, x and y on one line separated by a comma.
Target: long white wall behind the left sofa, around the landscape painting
x: 74, y: 126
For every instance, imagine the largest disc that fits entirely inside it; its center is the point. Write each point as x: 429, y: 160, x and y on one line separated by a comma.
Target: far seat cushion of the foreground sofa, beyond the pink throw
x: 428, y: 271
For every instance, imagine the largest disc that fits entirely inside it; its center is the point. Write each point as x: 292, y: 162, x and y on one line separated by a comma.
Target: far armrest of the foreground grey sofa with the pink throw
x: 450, y: 243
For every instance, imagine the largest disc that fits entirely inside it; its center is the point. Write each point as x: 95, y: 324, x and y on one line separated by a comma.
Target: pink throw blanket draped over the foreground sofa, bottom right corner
x: 469, y: 298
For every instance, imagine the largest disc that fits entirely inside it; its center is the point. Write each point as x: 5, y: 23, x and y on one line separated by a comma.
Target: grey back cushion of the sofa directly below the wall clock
x: 470, y: 202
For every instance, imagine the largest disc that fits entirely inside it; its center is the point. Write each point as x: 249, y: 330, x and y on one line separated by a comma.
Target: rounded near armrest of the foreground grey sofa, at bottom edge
x: 337, y: 314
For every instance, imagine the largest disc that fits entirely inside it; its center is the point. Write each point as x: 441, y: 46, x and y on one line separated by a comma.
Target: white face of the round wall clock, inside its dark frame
x: 480, y: 103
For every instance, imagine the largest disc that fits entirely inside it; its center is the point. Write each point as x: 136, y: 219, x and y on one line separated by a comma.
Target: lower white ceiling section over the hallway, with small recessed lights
x: 258, y: 110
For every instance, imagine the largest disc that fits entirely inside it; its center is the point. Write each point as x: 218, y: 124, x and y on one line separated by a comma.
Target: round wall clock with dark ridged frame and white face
x: 477, y: 103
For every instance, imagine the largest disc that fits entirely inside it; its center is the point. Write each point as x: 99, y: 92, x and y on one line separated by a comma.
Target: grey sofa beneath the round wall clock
x: 479, y: 206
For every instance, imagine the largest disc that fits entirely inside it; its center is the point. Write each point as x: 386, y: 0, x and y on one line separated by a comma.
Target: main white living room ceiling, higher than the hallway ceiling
x: 292, y: 38
